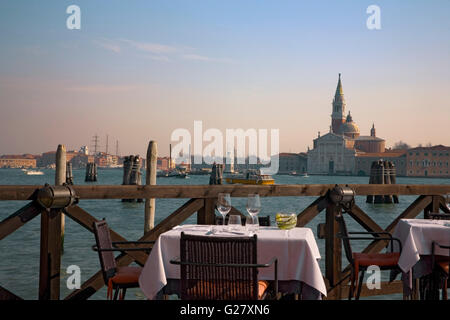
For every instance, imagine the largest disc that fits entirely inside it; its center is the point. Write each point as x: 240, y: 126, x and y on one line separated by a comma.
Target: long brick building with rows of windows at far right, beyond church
x: 428, y: 162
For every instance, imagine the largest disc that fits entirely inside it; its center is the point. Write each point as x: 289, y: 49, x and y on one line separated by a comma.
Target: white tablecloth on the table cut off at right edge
x: 416, y: 236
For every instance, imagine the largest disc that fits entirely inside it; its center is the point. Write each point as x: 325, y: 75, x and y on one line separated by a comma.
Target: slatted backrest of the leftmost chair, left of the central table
x: 103, y: 241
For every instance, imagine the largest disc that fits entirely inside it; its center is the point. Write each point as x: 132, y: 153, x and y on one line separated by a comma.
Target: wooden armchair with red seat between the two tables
x: 361, y: 261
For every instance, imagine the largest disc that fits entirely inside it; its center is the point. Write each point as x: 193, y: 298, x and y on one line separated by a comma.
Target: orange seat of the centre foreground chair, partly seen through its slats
x: 233, y: 291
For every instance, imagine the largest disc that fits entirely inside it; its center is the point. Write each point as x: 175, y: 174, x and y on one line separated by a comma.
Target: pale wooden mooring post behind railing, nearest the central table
x: 150, y: 179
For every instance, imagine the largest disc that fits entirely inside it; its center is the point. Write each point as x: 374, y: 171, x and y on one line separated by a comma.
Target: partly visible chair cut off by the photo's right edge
x: 441, y: 266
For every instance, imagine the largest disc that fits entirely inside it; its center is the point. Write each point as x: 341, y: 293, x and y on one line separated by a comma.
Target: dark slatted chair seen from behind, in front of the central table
x: 221, y: 268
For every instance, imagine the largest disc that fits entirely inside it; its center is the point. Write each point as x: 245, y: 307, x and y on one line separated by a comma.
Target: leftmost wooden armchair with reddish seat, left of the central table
x: 116, y: 278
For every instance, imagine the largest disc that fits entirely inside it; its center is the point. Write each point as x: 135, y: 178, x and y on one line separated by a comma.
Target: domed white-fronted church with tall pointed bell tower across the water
x: 336, y: 151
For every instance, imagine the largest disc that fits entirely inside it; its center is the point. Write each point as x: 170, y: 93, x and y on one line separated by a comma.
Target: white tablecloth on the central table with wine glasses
x: 296, y: 250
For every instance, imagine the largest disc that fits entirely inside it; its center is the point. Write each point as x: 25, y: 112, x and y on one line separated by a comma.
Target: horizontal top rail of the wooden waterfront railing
x: 20, y: 192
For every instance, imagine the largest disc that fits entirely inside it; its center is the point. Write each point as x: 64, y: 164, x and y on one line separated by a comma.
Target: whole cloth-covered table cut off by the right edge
x: 416, y: 236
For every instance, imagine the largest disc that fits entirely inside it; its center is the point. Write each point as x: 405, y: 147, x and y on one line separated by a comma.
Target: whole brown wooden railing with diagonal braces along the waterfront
x: 201, y: 200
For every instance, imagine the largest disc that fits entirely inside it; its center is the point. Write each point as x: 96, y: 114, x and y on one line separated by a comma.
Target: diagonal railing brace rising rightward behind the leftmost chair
x: 94, y: 283
